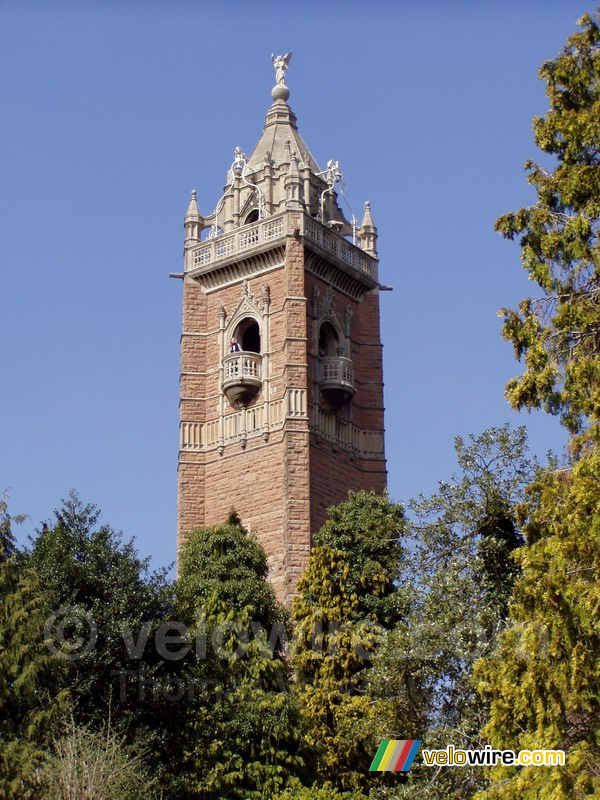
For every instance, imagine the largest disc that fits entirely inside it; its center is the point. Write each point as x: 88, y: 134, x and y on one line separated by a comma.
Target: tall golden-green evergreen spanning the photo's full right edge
x: 544, y: 681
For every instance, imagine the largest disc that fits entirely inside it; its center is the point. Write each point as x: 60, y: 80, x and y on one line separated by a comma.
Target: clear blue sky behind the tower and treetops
x: 113, y: 112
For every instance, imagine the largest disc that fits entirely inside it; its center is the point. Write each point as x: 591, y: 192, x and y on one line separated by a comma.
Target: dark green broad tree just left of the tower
x: 101, y: 602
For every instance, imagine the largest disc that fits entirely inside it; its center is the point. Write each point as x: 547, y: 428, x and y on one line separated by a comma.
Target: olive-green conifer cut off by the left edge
x: 31, y: 702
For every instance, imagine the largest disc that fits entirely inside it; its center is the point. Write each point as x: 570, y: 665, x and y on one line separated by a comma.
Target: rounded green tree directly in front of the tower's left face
x: 242, y: 732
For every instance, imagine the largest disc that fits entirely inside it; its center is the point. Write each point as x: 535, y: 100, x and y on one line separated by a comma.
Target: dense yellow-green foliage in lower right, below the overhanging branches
x: 544, y: 680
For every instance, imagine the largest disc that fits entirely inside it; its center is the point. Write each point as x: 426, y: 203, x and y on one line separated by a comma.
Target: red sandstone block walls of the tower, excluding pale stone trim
x: 281, y: 488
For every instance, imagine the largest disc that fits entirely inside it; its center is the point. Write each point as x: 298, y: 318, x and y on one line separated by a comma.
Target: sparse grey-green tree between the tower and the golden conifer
x: 461, y: 574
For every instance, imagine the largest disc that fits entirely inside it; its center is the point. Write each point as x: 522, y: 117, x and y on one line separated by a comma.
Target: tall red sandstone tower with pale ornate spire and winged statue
x: 282, y: 422
